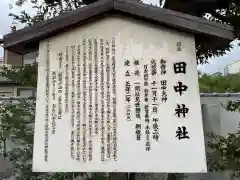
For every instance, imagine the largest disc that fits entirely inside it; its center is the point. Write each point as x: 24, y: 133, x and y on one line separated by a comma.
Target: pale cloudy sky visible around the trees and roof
x: 215, y: 64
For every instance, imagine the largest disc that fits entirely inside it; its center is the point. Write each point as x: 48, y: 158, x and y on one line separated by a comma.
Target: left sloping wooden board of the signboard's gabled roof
x: 58, y: 24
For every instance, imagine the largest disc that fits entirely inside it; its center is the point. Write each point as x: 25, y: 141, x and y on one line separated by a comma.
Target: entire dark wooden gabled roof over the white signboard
x: 22, y: 39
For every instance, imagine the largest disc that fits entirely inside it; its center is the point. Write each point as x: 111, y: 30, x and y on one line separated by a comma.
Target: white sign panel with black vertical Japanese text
x: 111, y: 100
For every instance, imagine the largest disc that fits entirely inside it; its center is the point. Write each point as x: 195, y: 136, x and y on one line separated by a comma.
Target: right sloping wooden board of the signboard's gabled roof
x: 176, y: 20
